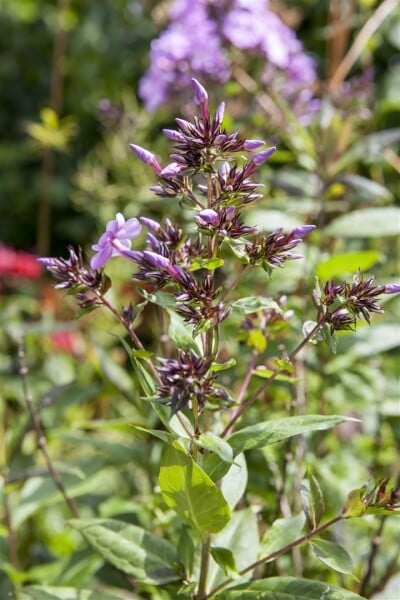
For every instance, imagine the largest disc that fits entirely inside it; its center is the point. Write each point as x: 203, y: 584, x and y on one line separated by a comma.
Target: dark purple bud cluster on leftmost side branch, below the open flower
x: 71, y: 274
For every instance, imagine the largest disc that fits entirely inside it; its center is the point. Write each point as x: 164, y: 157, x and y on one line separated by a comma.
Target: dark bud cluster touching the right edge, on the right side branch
x: 343, y: 303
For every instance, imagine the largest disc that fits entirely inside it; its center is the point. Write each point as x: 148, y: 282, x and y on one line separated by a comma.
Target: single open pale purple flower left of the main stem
x: 115, y: 241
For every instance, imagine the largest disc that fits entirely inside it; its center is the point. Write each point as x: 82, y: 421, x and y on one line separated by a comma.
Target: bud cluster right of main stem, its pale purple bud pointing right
x: 274, y: 249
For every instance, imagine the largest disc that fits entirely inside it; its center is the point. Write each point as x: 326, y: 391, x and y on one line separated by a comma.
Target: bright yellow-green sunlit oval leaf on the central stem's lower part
x: 188, y: 490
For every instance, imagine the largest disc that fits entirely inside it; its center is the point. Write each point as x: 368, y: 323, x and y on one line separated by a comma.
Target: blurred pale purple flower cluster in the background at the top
x: 200, y: 40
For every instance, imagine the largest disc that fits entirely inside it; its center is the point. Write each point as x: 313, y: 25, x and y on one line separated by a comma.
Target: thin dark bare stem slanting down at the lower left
x: 37, y: 426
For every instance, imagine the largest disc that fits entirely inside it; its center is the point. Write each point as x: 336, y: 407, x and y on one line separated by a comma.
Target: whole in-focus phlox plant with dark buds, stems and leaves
x: 200, y: 399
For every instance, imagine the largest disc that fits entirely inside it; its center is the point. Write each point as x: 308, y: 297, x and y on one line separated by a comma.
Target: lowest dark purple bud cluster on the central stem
x: 185, y: 381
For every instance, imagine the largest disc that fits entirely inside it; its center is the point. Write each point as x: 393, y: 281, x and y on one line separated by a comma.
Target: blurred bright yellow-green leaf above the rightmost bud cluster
x: 347, y: 263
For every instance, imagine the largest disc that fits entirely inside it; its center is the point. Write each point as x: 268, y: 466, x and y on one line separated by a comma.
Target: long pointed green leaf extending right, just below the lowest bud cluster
x: 270, y: 432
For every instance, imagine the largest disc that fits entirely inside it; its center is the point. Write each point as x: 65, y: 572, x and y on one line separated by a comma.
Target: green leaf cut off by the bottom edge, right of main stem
x: 287, y: 588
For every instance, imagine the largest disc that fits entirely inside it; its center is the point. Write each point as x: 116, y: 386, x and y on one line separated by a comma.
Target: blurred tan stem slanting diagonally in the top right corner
x: 361, y: 40
